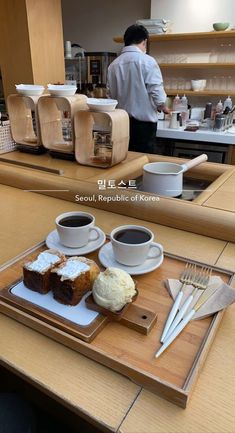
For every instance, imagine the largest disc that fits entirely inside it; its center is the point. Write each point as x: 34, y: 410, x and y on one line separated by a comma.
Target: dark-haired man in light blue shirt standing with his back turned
x: 134, y: 79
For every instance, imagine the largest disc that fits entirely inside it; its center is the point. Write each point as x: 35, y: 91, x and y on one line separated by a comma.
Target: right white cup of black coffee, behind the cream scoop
x: 131, y: 253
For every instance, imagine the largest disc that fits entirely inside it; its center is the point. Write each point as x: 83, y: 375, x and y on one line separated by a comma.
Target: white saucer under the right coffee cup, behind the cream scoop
x: 107, y: 259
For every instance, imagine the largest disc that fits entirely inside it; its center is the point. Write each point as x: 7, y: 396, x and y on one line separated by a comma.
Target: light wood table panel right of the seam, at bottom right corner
x: 211, y: 409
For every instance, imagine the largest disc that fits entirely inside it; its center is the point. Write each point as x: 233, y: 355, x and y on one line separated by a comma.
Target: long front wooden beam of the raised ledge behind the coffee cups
x: 166, y: 211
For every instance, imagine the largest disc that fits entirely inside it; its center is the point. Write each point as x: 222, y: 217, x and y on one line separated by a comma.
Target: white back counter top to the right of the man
x: 164, y: 131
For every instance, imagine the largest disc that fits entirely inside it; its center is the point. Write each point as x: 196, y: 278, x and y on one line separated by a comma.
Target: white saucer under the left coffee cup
x: 53, y: 241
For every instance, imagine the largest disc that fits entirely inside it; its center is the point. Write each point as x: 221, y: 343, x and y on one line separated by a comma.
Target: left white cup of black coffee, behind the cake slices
x: 80, y: 233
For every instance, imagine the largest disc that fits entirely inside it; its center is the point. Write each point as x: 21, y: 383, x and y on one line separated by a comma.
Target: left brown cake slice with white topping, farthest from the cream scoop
x: 36, y: 273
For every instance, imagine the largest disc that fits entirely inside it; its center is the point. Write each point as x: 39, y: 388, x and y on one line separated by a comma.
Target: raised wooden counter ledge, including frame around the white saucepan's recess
x: 214, y: 221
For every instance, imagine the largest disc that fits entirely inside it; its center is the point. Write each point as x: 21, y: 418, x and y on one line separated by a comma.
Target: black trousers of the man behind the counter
x: 142, y: 136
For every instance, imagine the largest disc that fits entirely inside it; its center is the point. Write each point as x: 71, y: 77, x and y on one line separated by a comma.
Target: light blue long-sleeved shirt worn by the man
x: 135, y: 80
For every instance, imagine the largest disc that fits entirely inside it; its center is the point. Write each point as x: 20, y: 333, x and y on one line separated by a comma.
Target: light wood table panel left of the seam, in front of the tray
x: 92, y: 391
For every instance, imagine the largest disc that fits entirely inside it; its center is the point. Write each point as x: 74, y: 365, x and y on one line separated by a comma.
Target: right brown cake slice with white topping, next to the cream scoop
x: 72, y: 279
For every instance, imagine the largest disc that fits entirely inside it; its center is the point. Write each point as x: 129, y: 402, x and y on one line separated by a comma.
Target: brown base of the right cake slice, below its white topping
x: 70, y: 292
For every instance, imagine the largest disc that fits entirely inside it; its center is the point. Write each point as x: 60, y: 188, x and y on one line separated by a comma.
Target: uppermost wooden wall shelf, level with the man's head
x: 186, y: 36
